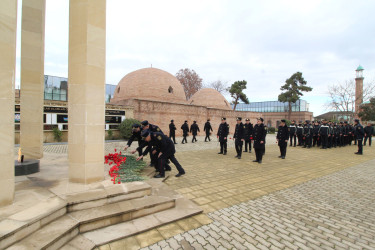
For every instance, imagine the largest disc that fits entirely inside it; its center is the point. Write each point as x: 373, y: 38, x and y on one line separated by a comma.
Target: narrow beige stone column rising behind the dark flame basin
x: 32, y: 78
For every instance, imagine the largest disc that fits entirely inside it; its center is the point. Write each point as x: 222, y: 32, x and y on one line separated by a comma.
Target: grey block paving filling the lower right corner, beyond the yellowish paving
x: 332, y: 212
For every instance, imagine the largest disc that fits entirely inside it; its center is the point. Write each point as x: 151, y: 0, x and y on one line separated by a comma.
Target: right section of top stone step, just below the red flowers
x: 107, y: 195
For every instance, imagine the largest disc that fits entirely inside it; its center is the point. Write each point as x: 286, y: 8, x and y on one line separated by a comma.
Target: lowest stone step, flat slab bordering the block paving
x: 184, y: 208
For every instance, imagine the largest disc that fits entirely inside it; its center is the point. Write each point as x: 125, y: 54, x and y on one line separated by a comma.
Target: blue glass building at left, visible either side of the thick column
x: 56, y: 88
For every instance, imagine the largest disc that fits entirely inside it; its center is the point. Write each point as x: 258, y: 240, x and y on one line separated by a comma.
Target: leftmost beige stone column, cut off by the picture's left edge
x: 8, y: 31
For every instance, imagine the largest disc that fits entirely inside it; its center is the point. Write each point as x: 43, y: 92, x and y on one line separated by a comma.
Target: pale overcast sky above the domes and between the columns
x: 262, y: 42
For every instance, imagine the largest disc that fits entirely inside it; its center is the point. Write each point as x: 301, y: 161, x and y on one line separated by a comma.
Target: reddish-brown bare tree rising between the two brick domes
x: 190, y: 80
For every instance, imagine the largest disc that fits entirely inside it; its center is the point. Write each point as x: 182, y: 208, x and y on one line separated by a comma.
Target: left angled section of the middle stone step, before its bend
x: 51, y: 236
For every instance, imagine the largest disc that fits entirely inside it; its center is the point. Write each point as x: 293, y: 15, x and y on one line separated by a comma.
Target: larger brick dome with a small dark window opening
x: 149, y: 84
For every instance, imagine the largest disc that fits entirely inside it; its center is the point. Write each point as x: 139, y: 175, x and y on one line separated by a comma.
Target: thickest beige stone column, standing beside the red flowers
x: 87, y: 34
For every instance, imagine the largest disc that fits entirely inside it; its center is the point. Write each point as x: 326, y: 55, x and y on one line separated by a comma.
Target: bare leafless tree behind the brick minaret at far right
x: 342, y: 97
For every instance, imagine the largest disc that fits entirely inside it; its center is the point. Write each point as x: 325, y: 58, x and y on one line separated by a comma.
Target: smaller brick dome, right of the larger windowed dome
x: 210, y: 98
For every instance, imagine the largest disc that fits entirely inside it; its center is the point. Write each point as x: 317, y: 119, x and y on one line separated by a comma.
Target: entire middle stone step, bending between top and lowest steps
x: 62, y: 230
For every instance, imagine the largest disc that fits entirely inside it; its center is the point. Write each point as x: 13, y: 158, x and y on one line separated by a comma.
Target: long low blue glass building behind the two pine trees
x: 272, y: 106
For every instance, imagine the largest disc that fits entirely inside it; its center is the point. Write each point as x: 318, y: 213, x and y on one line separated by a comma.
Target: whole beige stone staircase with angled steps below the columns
x: 89, y: 219
